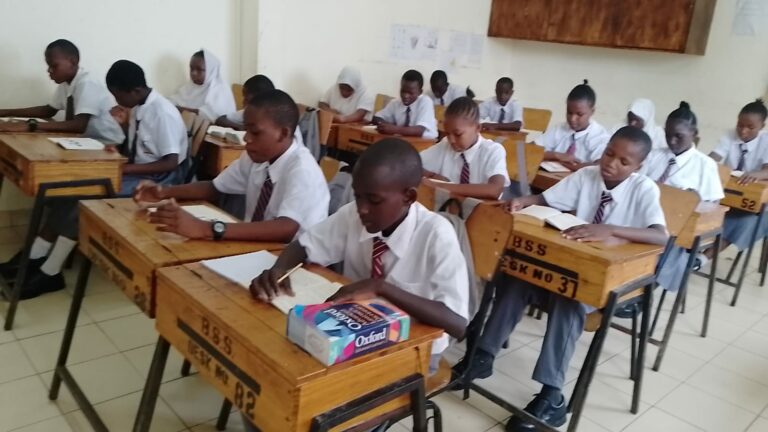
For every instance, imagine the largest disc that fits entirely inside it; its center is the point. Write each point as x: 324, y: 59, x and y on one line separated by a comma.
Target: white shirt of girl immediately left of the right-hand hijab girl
x: 590, y: 143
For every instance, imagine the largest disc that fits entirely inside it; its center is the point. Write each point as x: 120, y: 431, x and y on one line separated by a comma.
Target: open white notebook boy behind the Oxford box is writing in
x: 308, y: 287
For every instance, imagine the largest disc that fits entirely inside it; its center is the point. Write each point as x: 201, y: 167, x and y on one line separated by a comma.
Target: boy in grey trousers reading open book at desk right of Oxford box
x: 620, y: 203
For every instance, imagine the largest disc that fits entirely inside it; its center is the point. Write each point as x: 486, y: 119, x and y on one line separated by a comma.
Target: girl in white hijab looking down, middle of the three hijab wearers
x: 348, y: 98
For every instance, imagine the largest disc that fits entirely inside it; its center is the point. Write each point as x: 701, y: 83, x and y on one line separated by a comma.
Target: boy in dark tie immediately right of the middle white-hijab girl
x: 413, y: 114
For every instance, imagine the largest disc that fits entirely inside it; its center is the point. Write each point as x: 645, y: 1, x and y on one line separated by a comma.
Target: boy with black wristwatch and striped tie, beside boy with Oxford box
x: 284, y: 188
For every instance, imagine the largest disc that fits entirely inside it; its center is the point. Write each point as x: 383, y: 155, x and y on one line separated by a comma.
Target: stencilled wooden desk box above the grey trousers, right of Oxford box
x: 586, y: 272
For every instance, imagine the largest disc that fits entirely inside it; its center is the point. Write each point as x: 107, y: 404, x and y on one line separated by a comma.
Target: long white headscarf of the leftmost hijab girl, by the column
x: 213, y: 98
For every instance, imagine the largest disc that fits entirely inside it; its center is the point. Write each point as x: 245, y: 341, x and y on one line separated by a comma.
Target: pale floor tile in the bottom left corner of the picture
x: 24, y: 402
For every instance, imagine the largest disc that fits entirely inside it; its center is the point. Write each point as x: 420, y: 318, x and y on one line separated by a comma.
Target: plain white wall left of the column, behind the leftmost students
x: 159, y: 35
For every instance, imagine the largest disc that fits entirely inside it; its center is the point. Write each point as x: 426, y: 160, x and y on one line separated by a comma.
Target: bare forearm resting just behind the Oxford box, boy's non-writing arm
x: 427, y: 311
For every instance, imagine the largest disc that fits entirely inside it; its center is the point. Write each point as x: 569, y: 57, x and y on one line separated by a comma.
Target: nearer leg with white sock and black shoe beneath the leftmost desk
x: 63, y: 225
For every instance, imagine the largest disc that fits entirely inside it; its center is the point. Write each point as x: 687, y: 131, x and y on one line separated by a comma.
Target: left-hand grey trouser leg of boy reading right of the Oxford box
x: 508, y: 308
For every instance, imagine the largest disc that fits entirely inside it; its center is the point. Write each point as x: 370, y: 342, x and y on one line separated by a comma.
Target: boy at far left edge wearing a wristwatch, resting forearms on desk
x: 85, y: 102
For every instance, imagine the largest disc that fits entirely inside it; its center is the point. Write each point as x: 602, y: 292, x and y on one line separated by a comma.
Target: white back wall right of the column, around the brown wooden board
x: 304, y: 43
